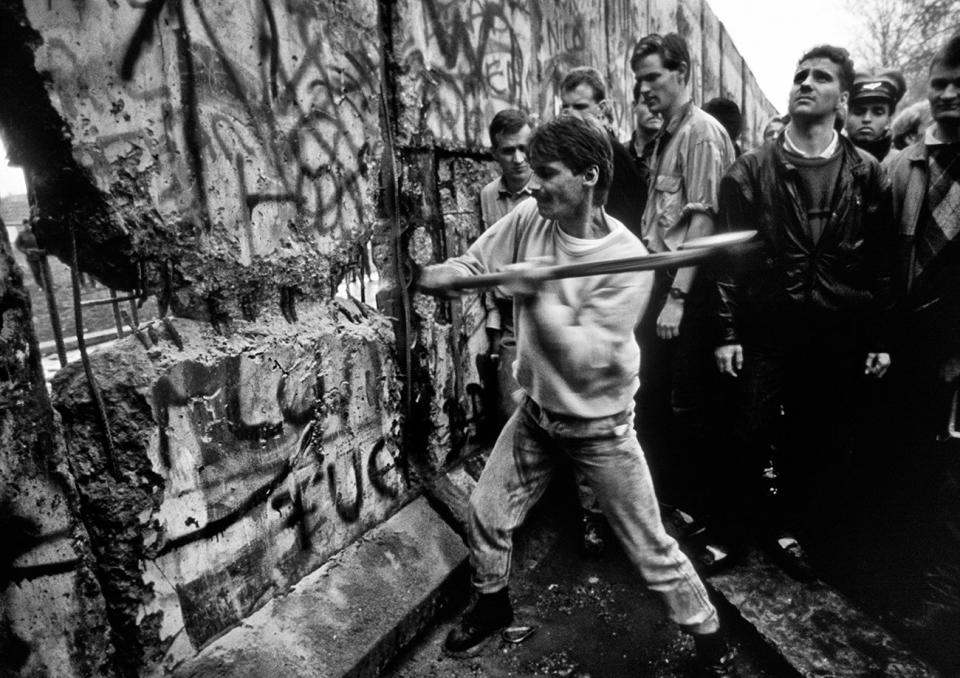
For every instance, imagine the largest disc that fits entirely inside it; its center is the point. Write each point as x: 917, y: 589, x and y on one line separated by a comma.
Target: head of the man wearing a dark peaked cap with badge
x: 873, y: 100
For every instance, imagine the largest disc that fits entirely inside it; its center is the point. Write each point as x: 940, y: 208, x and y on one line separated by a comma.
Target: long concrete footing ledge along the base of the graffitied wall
x: 352, y: 615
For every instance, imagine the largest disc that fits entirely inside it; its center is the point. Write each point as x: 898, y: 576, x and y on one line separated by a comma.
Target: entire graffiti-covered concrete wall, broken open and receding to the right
x: 272, y: 172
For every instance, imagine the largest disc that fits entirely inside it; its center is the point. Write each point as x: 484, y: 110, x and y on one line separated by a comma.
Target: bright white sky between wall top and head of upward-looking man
x: 773, y: 34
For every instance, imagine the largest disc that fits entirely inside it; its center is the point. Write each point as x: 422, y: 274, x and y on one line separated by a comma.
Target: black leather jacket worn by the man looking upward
x: 845, y: 274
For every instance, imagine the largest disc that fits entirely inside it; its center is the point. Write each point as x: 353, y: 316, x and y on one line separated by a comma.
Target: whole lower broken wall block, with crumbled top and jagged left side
x: 243, y: 464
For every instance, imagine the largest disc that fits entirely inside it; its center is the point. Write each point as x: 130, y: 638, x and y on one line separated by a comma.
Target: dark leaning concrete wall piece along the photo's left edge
x: 53, y: 620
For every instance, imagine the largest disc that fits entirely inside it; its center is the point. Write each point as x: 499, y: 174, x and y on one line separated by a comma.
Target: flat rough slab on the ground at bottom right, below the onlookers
x: 815, y: 628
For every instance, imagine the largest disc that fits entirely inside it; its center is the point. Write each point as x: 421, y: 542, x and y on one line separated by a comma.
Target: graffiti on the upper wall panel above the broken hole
x: 255, y: 122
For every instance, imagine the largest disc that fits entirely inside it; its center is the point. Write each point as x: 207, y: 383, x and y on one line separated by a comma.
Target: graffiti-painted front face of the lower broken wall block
x: 271, y: 463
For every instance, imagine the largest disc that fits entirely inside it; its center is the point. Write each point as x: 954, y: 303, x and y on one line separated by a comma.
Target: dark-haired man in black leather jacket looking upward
x: 803, y: 326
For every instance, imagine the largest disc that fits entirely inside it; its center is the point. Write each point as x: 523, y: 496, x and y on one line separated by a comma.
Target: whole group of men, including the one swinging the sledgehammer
x: 765, y: 382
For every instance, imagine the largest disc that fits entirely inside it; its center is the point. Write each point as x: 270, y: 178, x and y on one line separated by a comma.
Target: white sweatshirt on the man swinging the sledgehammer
x: 590, y: 367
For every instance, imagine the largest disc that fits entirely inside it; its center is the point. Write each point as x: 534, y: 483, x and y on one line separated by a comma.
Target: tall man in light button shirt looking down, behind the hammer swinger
x: 678, y: 382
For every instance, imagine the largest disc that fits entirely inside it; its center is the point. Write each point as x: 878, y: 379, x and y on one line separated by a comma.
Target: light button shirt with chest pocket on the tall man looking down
x: 690, y: 156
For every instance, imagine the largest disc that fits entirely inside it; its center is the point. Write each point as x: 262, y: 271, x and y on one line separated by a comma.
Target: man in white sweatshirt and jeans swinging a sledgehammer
x: 577, y: 362
